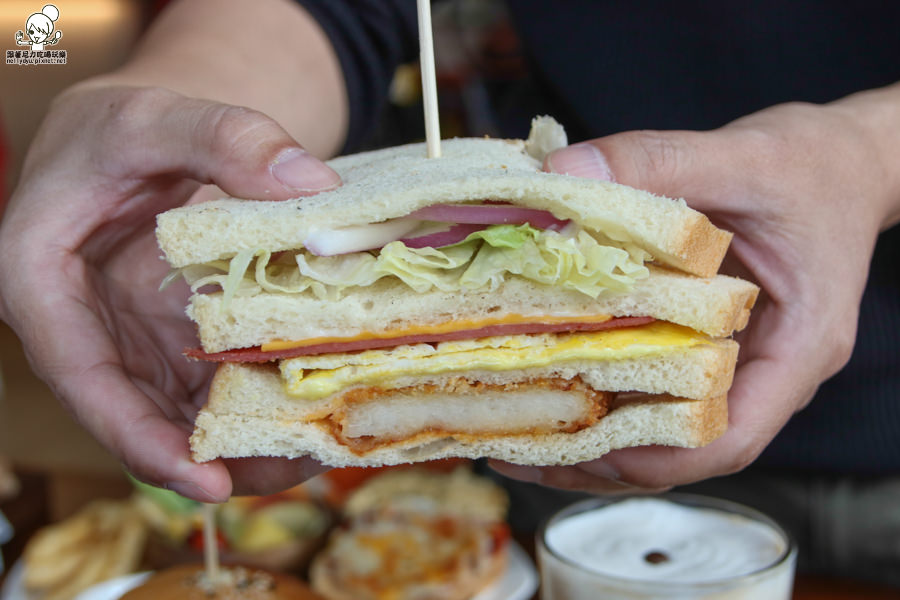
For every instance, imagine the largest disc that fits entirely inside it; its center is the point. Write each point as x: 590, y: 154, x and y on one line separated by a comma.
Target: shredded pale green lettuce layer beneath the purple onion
x: 573, y: 260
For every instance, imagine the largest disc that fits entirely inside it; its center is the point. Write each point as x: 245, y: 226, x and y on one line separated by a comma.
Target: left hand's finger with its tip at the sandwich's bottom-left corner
x: 79, y: 360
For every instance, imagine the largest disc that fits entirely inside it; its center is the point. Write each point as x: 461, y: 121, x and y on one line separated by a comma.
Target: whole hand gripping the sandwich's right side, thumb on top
x: 806, y: 190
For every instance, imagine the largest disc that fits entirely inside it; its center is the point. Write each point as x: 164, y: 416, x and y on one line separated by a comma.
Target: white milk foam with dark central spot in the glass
x: 692, y: 545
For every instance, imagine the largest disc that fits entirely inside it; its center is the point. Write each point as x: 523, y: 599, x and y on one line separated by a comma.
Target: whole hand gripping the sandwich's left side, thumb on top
x: 80, y: 269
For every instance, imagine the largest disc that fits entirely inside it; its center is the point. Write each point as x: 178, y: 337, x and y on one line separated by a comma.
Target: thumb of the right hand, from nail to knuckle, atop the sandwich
x: 662, y: 162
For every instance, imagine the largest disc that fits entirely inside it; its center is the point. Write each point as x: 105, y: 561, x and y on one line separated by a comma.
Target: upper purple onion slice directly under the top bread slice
x: 489, y: 214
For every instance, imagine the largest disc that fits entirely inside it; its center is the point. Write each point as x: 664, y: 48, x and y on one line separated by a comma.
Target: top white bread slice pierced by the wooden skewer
x: 393, y: 182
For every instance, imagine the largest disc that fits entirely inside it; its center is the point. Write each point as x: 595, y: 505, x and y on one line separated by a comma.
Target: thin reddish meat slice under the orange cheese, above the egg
x: 256, y: 355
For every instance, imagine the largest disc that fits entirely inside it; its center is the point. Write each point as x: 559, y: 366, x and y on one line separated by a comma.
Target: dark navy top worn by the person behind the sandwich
x: 603, y: 67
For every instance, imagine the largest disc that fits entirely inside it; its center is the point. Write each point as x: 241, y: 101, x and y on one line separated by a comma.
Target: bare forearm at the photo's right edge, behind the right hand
x: 877, y: 112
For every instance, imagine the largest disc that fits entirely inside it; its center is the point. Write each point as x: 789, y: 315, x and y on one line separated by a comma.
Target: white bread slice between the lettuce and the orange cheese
x: 717, y: 307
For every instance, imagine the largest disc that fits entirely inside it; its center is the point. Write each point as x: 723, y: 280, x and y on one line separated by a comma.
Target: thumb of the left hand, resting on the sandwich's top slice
x: 242, y: 151
